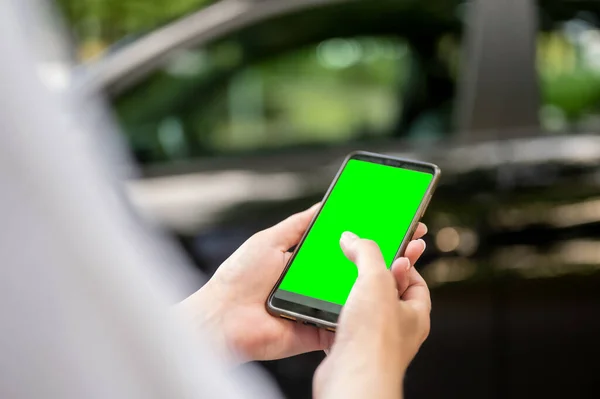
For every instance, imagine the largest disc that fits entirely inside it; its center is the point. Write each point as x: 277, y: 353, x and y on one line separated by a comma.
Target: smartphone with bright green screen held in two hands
x: 374, y: 196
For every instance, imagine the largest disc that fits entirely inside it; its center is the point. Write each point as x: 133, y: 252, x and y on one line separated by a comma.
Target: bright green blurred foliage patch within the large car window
x: 333, y: 91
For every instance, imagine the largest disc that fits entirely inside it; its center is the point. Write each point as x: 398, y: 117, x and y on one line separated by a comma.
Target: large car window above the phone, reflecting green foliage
x: 258, y: 90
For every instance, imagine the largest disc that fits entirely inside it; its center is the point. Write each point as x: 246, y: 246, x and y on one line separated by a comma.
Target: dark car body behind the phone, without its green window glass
x: 513, y: 257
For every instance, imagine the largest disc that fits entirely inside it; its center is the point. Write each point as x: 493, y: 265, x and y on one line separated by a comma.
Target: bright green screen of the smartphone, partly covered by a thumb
x: 372, y: 200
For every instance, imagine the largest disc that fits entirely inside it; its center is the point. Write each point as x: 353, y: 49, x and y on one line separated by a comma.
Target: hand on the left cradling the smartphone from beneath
x: 232, y: 304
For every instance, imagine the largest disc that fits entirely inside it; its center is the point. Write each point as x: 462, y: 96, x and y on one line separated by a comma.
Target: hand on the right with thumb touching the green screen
x: 380, y: 329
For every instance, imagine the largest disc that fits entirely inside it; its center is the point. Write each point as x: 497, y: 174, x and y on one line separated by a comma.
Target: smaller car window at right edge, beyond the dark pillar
x: 568, y: 62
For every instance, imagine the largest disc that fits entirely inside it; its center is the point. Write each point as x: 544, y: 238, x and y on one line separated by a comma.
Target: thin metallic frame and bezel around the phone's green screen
x: 294, y: 316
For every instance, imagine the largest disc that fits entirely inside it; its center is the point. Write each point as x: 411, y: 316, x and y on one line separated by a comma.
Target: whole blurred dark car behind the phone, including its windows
x: 240, y: 113
